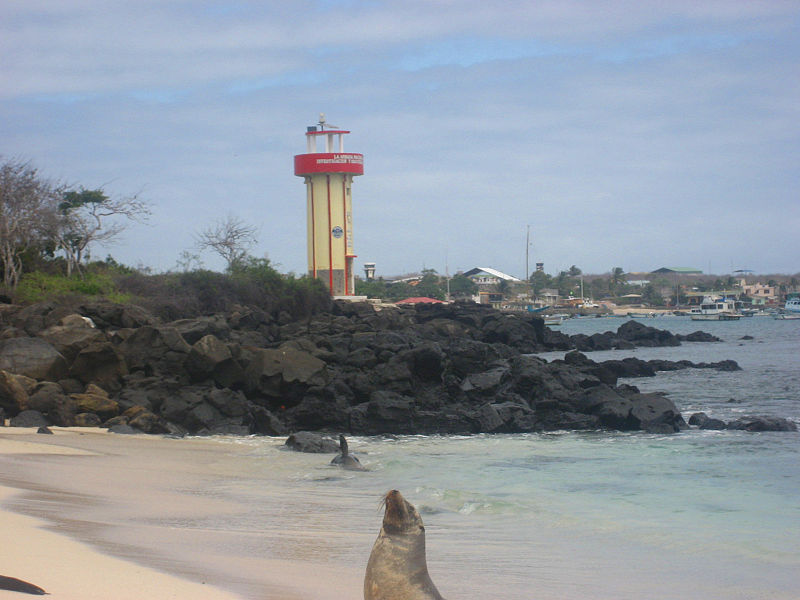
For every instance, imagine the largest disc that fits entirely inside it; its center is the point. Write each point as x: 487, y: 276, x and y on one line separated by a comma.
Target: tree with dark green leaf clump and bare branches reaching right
x: 83, y: 219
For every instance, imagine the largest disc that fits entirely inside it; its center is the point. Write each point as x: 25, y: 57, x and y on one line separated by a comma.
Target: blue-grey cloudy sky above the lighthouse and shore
x: 624, y: 133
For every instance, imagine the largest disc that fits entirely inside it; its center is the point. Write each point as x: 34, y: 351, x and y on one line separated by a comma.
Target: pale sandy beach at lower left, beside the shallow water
x: 86, y: 514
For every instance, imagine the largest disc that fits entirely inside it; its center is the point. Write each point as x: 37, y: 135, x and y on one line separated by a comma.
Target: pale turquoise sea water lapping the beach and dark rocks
x: 695, y: 515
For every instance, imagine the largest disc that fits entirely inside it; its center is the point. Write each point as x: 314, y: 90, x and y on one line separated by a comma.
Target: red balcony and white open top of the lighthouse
x: 329, y: 161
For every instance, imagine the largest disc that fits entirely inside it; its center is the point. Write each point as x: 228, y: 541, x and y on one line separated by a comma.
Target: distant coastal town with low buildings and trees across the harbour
x: 667, y: 290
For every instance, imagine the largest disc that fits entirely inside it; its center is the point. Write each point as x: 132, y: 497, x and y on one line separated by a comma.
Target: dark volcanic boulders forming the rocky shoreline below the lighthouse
x: 460, y: 368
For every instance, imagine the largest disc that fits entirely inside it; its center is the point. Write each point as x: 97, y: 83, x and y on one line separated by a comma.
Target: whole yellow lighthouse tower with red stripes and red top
x: 329, y: 177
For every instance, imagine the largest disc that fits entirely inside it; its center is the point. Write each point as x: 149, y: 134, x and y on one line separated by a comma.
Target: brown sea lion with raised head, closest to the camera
x: 397, y: 569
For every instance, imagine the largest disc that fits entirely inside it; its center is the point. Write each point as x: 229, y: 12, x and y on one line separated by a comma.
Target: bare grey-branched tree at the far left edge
x: 27, y: 204
